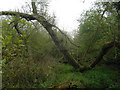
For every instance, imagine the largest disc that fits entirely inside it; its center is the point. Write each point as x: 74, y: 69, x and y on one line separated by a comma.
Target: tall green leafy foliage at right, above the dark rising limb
x: 96, y: 30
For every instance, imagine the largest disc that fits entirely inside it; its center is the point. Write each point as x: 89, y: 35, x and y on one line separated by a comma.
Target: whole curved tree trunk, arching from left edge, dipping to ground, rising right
x: 57, y: 42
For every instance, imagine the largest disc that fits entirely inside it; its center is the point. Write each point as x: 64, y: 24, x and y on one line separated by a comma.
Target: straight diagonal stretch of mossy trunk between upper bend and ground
x: 59, y: 45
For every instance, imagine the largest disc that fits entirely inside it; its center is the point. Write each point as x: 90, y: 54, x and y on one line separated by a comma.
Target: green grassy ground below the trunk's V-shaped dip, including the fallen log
x: 102, y: 76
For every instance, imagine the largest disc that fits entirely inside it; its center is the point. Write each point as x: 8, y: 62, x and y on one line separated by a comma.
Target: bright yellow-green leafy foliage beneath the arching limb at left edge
x: 13, y: 45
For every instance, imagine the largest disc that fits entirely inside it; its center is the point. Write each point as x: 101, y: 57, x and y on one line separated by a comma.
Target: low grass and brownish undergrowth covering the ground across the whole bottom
x: 31, y: 75
